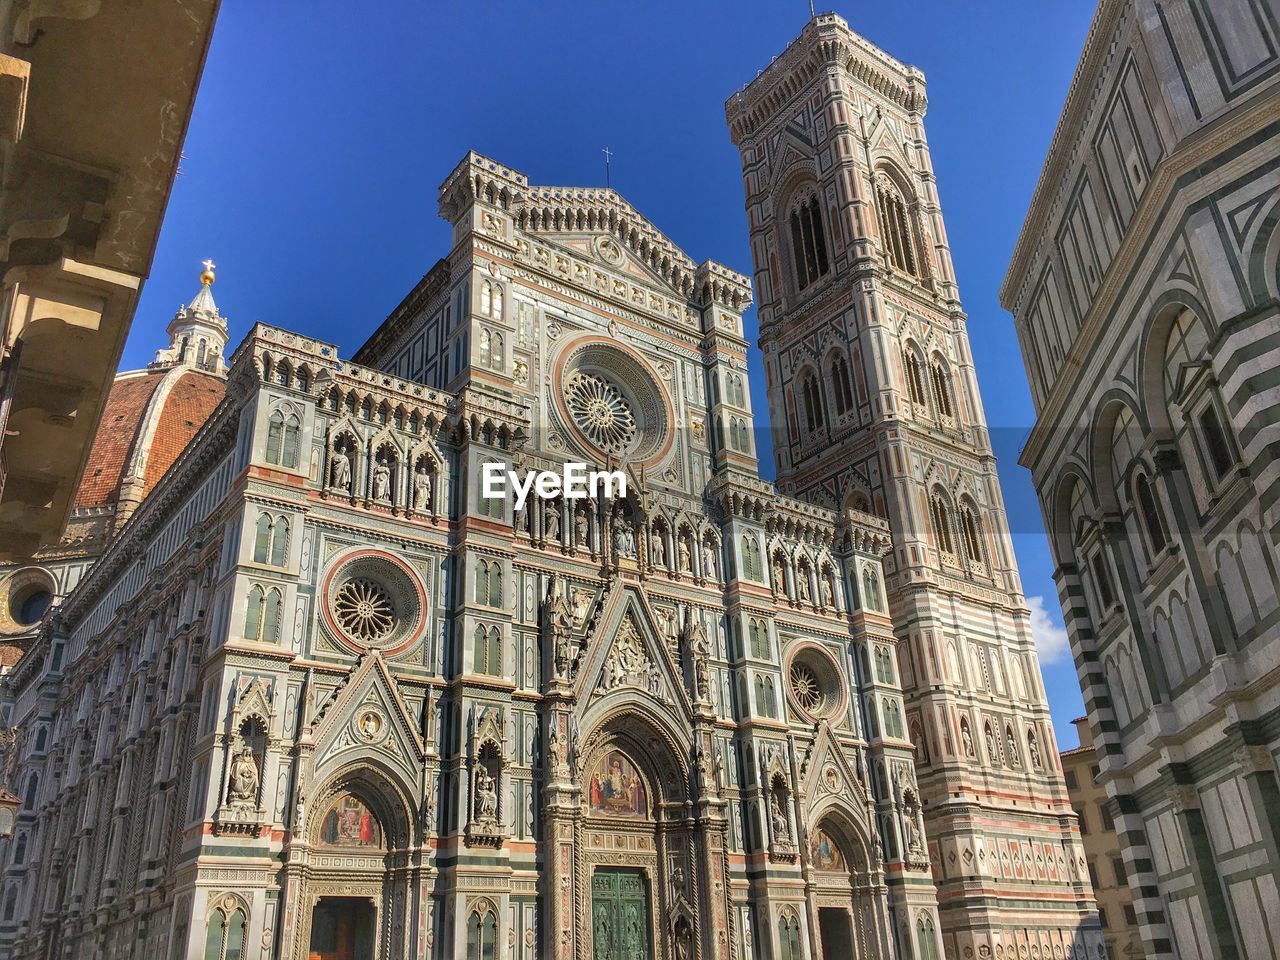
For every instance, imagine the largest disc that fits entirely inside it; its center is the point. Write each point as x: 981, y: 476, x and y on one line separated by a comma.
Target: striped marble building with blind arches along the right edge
x: 1145, y: 290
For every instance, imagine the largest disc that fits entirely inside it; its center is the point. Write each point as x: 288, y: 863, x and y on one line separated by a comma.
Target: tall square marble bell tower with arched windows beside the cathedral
x: 875, y: 408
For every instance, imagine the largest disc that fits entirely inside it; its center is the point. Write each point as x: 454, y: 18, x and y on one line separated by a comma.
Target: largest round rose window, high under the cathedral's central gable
x: 612, y: 401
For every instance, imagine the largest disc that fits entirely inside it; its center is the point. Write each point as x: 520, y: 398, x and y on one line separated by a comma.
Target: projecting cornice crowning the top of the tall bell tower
x: 825, y: 43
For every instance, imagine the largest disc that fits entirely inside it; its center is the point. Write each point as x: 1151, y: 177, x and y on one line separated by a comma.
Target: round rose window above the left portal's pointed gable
x: 374, y: 600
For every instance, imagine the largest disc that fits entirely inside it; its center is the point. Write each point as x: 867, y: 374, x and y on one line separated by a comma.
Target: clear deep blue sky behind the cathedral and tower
x: 323, y: 130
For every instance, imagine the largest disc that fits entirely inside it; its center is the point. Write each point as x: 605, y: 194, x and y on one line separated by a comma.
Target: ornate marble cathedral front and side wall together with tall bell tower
x: 321, y: 700
